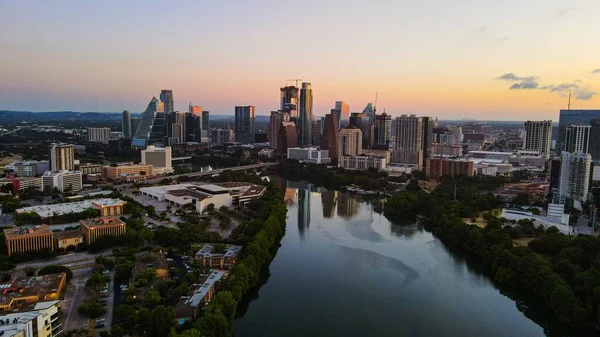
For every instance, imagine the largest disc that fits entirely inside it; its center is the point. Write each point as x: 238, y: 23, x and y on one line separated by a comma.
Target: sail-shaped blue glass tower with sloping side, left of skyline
x: 151, y: 129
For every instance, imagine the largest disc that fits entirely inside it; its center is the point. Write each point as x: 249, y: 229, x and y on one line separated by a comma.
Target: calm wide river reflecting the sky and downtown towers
x: 345, y: 270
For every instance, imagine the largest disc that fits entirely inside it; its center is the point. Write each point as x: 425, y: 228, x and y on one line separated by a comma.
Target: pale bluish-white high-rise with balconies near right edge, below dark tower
x: 574, y: 182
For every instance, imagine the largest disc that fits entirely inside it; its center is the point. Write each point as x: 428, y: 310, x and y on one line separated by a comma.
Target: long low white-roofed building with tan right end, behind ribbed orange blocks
x: 106, y: 207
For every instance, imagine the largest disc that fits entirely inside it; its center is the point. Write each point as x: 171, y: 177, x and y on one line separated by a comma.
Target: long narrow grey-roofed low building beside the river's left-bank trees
x: 200, y: 295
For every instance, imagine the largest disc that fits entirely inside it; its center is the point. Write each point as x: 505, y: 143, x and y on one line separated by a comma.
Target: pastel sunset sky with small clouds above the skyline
x: 484, y: 59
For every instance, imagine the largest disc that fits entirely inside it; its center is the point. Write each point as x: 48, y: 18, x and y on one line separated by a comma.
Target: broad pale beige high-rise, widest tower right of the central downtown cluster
x: 408, y: 140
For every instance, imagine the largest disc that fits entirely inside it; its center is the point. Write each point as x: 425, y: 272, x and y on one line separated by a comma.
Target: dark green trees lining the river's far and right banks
x: 561, y: 271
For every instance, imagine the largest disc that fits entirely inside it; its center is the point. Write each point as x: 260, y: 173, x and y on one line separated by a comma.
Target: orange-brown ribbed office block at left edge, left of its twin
x: 28, y: 238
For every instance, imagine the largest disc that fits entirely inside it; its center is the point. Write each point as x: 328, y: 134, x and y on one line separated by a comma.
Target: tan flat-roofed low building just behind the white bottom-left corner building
x: 21, y: 292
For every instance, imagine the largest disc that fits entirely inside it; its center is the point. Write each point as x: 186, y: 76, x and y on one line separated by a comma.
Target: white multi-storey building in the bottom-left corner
x: 41, y: 321
